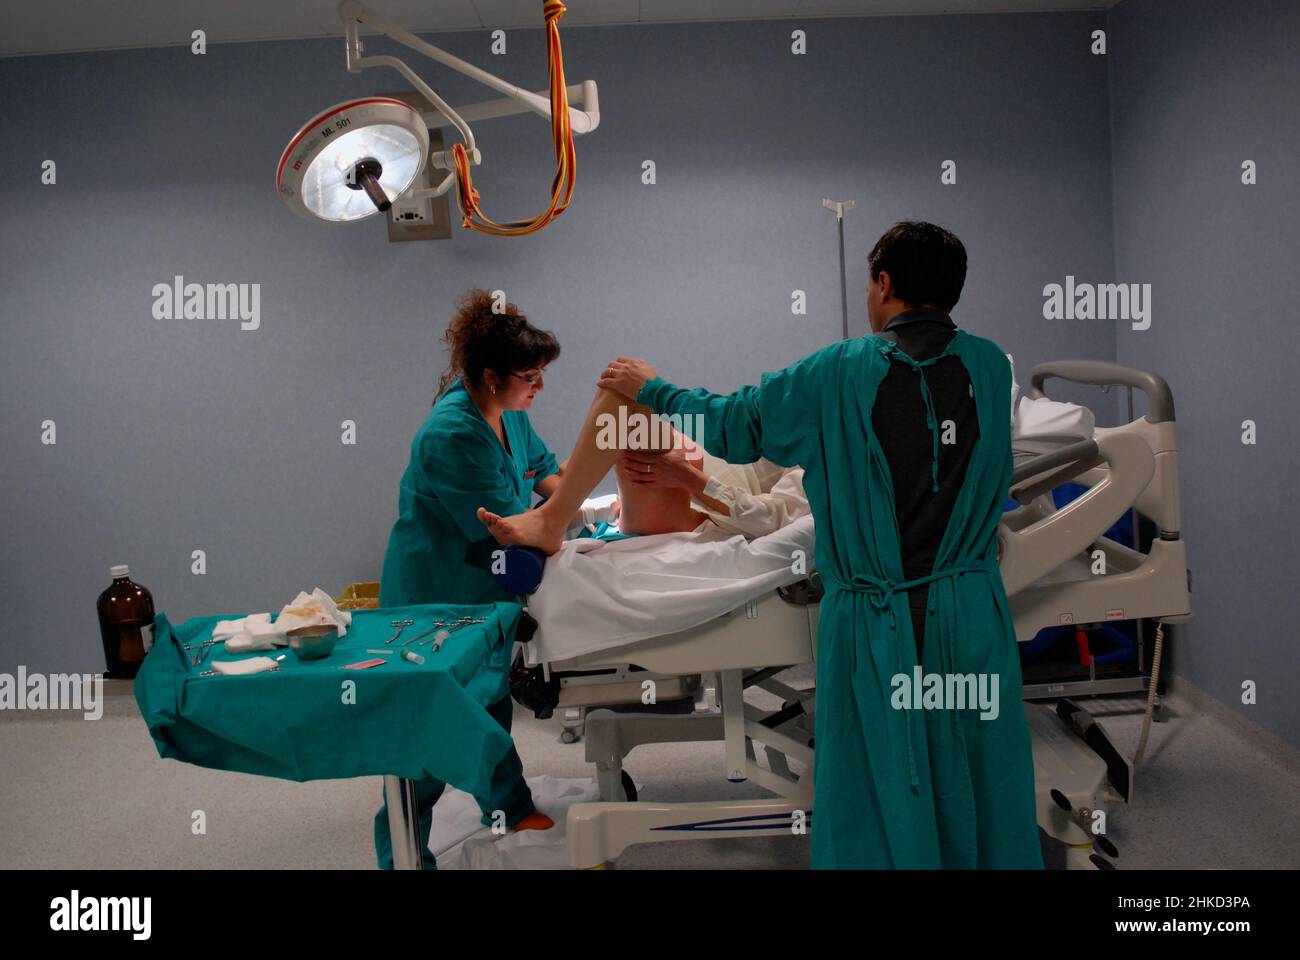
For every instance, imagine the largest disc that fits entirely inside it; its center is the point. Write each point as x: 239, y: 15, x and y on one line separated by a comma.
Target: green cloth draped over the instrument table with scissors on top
x: 408, y: 720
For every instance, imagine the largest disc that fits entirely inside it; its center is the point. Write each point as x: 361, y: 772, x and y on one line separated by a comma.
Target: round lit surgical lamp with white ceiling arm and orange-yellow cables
x: 354, y: 159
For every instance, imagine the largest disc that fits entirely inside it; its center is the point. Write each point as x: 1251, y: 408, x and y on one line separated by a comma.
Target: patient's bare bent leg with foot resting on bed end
x: 644, y: 509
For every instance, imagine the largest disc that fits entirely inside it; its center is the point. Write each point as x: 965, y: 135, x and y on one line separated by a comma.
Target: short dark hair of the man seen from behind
x: 926, y: 265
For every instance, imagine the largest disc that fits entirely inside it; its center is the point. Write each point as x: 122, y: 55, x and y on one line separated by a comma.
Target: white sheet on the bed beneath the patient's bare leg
x: 596, y: 596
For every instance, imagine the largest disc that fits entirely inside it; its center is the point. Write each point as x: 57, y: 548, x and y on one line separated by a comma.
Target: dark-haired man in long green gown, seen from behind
x: 907, y: 447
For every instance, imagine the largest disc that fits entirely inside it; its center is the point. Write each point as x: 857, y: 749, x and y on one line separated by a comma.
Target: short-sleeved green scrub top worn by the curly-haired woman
x: 439, y: 551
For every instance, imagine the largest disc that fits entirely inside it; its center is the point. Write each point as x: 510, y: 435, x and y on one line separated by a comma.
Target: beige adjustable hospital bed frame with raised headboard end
x: 700, y: 676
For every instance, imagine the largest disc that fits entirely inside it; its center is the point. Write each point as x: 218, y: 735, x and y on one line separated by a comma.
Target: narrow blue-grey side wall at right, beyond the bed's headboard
x: 1197, y: 89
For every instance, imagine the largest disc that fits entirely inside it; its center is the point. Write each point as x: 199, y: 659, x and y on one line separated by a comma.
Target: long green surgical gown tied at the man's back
x: 895, y: 788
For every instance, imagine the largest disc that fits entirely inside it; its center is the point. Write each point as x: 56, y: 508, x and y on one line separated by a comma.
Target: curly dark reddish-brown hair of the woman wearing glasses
x: 480, y: 340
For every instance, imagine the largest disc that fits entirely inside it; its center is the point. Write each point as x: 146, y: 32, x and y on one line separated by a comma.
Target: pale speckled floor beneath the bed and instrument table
x: 1215, y: 793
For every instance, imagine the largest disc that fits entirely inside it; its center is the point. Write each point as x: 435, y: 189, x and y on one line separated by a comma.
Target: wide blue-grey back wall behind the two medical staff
x: 179, y: 435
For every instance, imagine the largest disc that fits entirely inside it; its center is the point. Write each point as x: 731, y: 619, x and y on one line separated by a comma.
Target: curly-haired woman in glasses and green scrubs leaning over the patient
x: 476, y: 448
